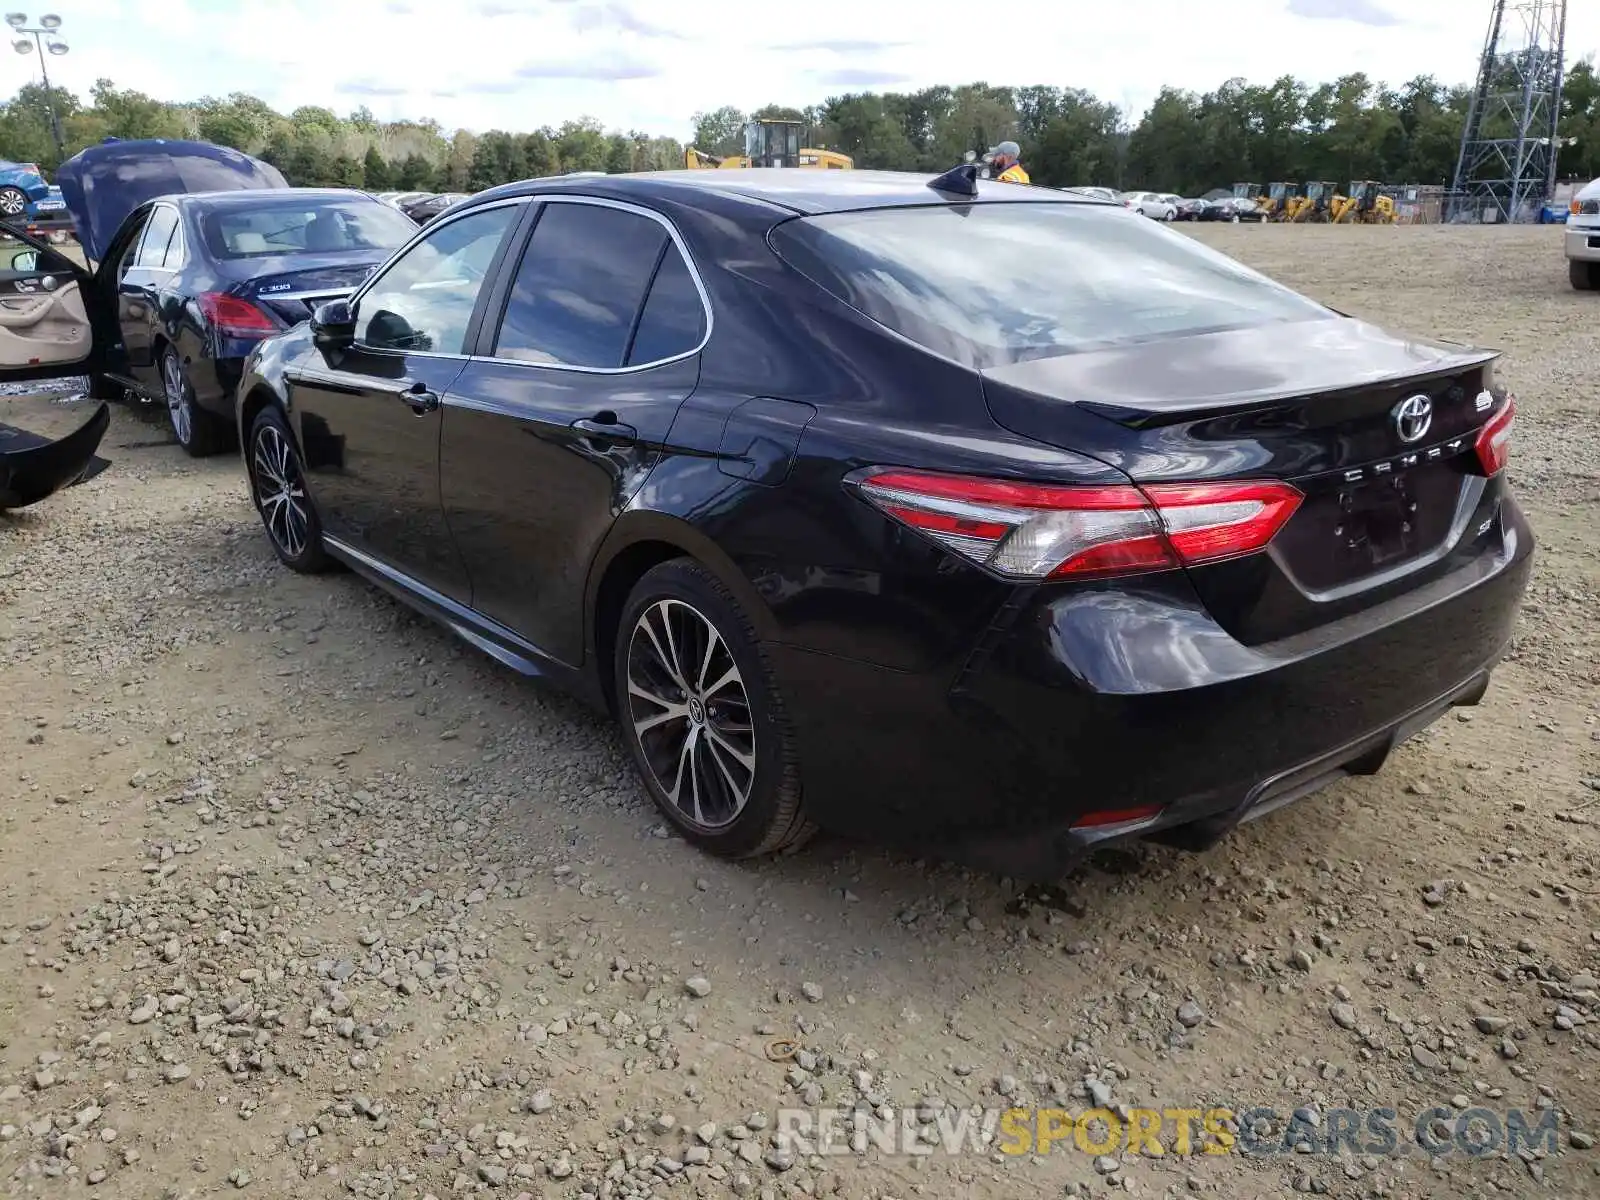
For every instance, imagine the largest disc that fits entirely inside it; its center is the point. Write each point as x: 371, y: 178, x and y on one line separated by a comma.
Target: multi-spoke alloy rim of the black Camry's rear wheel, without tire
x: 690, y: 711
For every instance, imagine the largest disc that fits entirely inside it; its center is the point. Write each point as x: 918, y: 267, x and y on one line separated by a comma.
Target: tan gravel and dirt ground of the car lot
x: 300, y: 897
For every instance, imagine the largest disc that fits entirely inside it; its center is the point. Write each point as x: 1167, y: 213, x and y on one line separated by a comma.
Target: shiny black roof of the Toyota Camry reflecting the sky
x: 794, y: 190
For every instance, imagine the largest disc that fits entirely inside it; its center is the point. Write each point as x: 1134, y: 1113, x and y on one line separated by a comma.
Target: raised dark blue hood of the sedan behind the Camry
x: 105, y: 183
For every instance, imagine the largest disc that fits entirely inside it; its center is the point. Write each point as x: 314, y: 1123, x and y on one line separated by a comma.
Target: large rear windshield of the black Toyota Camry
x: 996, y: 284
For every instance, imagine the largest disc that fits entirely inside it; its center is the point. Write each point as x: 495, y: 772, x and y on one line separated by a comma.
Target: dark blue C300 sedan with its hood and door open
x: 196, y: 255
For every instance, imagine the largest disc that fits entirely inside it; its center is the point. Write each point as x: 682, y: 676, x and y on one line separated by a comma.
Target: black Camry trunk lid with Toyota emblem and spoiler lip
x: 1327, y: 406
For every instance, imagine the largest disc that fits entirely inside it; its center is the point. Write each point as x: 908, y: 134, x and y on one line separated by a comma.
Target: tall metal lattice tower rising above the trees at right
x: 1510, y: 143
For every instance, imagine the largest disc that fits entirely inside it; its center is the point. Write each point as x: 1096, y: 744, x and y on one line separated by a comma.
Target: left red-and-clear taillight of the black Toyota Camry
x: 1052, y: 532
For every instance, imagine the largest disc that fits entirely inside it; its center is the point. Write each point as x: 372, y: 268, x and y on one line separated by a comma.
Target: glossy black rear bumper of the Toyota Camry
x: 1113, y: 700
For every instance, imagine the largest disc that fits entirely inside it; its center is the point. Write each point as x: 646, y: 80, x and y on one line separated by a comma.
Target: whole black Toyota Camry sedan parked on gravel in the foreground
x: 978, y: 519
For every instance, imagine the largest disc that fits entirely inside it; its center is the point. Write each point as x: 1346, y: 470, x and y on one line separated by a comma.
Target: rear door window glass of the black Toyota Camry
x: 580, y: 287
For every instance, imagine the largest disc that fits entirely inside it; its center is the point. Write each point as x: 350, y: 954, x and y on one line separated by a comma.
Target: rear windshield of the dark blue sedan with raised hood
x: 303, y: 226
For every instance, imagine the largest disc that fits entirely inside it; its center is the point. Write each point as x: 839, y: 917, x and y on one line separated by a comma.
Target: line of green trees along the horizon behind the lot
x: 1186, y: 143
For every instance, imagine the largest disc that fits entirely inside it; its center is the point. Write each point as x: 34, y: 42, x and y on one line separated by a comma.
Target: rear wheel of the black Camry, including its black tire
x: 721, y: 722
